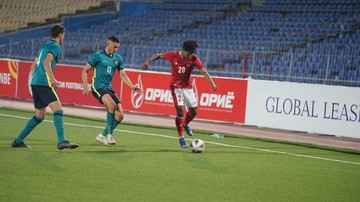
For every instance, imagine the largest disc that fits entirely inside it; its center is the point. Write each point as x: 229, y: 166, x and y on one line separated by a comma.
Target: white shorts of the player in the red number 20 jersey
x: 184, y: 97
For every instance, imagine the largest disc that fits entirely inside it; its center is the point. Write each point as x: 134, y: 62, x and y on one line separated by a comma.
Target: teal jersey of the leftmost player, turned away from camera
x: 40, y: 76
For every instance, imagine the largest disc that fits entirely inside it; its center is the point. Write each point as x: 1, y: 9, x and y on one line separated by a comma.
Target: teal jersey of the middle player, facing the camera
x: 104, y: 68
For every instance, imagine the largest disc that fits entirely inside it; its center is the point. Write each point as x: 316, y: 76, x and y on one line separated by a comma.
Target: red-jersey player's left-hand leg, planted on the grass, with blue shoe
x: 179, y: 121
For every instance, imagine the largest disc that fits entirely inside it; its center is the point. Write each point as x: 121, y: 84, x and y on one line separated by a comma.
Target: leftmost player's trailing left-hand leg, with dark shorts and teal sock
x: 40, y: 110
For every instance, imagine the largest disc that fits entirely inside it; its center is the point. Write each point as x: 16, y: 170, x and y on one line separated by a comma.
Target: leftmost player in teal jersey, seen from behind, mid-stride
x: 43, y: 86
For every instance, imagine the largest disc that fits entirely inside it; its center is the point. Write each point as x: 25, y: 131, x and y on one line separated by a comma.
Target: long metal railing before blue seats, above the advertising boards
x: 296, y: 66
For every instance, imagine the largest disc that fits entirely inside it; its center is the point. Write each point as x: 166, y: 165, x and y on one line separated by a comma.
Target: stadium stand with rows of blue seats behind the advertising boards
x: 311, y: 41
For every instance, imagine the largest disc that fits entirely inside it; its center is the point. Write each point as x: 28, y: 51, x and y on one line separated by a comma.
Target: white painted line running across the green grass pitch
x: 214, y: 143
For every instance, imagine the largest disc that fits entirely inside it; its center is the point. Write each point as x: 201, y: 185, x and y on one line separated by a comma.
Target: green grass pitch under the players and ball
x: 147, y: 164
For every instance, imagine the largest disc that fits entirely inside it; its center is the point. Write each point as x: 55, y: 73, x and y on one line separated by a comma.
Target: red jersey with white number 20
x: 181, y: 68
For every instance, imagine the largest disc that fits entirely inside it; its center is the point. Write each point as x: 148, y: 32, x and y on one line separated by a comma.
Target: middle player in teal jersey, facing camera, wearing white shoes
x: 105, y: 63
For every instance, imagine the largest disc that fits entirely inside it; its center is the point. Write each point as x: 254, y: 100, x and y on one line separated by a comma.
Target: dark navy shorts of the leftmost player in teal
x: 43, y: 96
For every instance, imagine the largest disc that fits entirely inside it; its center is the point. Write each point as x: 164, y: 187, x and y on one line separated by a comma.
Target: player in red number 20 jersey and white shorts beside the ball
x: 182, y: 65
